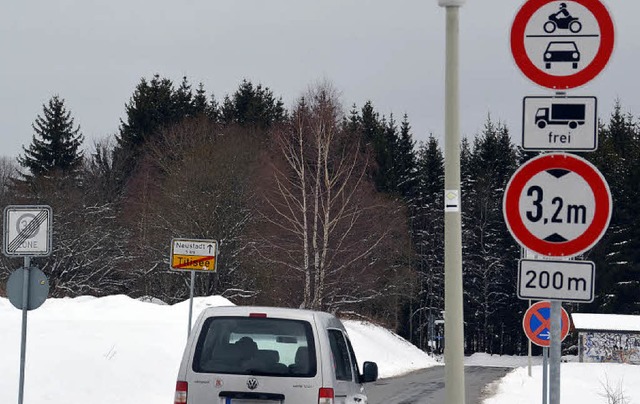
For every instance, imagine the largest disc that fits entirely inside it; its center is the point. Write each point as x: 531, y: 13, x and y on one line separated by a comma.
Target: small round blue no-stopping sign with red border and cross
x: 537, y: 324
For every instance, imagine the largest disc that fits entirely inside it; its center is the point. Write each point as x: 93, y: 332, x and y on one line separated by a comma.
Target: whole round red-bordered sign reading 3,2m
x: 557, y: 205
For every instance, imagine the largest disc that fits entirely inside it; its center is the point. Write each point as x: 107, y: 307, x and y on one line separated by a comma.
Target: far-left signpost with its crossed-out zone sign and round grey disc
x: 27, y: 233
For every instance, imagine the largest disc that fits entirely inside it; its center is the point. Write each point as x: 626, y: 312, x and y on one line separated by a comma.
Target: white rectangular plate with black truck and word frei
x: 560, y: 123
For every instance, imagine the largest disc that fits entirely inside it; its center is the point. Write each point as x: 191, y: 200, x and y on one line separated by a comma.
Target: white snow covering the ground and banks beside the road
x: 119, y: 350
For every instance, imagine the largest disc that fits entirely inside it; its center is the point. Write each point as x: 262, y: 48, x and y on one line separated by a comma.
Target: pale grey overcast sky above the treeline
x: 93, y: 53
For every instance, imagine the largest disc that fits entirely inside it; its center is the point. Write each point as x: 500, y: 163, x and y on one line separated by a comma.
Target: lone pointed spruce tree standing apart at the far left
x: 55, y: 148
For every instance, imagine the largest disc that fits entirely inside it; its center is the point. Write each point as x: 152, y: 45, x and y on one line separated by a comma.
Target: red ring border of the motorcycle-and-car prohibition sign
x: 581, y: 77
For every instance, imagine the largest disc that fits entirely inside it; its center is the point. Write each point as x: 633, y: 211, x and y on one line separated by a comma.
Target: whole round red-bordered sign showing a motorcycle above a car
x: 562, y: 45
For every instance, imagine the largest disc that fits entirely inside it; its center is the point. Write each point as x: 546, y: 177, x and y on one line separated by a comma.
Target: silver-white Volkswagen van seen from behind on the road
x: 266, y: 355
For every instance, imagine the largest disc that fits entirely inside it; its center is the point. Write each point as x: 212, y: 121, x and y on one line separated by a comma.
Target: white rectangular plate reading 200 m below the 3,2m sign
x: 568, y: 281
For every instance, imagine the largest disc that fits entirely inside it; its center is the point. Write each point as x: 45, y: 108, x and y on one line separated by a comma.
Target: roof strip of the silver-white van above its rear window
x: 278, y: 312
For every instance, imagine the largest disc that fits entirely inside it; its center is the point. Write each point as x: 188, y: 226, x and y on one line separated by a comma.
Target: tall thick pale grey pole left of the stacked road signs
x: 454, y: 324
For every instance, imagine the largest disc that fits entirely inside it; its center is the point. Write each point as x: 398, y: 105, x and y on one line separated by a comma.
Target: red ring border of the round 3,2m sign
x: 595, y: 180
